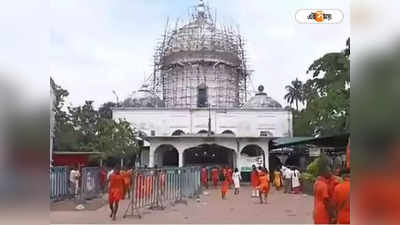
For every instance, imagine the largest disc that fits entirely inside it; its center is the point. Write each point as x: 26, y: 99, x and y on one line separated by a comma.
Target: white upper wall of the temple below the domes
x: 244, y: 123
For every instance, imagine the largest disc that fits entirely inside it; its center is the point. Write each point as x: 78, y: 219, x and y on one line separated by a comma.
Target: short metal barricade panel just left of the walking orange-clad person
x: 90, y: 183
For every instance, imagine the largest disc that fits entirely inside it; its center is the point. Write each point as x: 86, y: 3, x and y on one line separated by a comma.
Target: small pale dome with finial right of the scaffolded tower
x: 261, y: 101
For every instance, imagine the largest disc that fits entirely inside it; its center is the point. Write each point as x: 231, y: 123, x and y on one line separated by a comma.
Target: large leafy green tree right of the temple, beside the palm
x: 326, y: 95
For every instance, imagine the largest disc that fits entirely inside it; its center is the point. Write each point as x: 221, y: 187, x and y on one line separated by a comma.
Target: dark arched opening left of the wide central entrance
x: 166, y: 155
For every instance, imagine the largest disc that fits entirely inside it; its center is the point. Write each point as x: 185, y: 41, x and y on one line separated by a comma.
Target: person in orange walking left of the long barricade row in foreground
x: 116, y: 191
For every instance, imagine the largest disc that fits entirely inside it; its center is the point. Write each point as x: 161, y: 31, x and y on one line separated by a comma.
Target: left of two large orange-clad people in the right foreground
x: 322, y: 211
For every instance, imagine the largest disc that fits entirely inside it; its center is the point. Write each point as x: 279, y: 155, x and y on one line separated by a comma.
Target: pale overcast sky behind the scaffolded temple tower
x: 97, y: 46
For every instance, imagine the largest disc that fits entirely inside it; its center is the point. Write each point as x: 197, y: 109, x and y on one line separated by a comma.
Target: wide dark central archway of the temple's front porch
x: 209, y: 155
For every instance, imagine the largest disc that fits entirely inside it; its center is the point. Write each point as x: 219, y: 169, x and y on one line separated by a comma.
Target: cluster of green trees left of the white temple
x: 84, y: 128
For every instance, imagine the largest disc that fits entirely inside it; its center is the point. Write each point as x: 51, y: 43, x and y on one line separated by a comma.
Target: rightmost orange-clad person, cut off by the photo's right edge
x: 341, y: 198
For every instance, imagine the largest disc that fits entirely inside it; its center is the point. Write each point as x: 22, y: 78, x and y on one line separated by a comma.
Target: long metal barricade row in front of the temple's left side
x: 154, y: 188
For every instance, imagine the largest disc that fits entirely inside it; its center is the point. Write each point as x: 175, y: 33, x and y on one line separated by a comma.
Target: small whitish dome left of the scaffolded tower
x: 143, y: 98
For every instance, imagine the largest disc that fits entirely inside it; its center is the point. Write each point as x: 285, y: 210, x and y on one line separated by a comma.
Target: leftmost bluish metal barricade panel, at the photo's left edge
x: 59, y: 183
